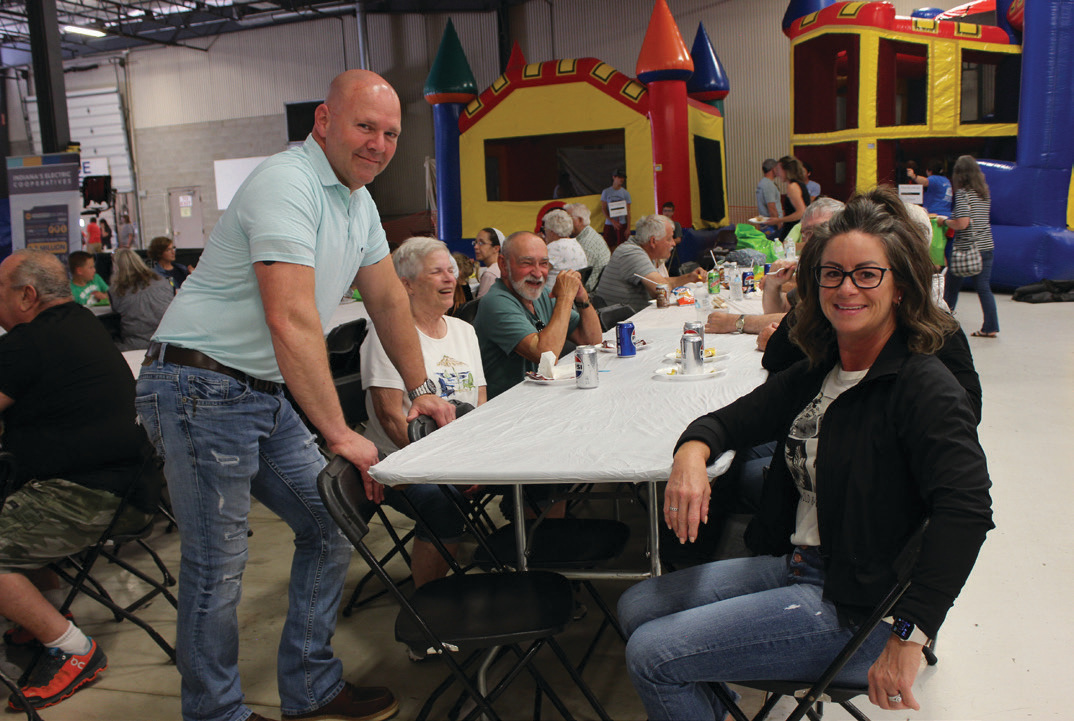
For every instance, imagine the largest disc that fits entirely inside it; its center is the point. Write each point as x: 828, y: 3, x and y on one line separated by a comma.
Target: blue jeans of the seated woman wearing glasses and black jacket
x: 759, y: 618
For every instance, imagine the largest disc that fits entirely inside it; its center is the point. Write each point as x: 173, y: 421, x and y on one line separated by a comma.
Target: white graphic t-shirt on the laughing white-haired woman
x: 453, y: 363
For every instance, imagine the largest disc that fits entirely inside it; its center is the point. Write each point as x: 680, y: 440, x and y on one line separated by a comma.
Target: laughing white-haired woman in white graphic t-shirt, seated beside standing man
x: 453, y: 360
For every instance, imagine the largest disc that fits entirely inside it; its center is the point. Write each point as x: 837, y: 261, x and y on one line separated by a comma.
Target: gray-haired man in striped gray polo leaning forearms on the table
x: 620, y: 283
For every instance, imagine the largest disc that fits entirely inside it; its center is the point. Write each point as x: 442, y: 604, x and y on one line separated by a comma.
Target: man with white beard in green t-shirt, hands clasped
x: 519, y: 320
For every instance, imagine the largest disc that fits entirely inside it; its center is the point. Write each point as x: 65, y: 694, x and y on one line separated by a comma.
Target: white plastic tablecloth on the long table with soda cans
x: 623, y: 431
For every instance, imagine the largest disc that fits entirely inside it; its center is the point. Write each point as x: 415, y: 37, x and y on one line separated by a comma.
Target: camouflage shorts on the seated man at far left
x: 47, y: 521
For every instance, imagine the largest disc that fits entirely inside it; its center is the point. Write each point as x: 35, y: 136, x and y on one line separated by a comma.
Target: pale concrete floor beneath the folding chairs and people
x: 1002, y: 655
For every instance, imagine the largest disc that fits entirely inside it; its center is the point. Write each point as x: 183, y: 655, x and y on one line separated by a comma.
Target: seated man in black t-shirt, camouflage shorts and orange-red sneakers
x: 68, y: 403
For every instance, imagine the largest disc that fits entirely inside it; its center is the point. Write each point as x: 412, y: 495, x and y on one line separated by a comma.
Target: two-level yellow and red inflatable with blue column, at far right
x: 993, y: 79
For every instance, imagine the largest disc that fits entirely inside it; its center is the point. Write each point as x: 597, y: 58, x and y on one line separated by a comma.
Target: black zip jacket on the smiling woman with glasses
x: 899, y: 445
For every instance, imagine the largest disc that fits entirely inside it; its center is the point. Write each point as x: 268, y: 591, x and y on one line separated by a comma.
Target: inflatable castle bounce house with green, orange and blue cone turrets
x: 556, y: 132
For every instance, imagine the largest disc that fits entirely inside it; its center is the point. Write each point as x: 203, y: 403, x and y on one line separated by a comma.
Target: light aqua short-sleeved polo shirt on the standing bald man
x: 293, y: 209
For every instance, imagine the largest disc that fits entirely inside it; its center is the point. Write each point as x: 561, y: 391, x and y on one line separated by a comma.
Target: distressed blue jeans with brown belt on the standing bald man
x: 224, y: 443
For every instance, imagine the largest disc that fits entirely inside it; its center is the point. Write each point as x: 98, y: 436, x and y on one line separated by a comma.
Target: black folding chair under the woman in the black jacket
x: 812, y: 695
